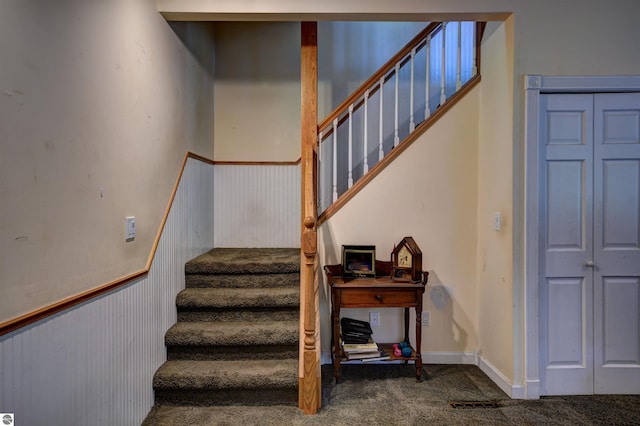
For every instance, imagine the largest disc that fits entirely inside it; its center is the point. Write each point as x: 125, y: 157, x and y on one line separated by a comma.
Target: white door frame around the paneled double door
x: 534, y: 85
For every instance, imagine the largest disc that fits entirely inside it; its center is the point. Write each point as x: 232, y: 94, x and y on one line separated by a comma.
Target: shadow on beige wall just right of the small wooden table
x: 440, y: 301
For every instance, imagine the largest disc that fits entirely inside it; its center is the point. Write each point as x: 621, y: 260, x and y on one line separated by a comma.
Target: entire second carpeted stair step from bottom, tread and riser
x: 233, y: 340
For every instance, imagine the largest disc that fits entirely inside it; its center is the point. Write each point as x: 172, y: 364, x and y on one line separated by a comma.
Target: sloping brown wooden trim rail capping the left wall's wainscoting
x: 69, y: 302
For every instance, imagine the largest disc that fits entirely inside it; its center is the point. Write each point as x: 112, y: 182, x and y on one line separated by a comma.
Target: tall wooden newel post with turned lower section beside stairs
x: 309, y: 395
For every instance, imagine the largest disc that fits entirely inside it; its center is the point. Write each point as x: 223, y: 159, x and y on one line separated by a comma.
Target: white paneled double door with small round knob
x: 590, y: 243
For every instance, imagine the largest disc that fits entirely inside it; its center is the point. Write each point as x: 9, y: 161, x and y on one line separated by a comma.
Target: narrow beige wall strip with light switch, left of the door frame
x: 495, y: 195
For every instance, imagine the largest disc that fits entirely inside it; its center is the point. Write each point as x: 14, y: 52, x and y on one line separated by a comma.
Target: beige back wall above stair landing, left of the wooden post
x: 257, y: 91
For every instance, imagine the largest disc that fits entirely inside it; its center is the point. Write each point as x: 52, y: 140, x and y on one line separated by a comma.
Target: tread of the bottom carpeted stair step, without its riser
x: 227, y: 375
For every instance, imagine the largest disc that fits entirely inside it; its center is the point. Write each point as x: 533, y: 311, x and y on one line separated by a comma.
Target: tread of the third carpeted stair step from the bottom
x: 200, y: 298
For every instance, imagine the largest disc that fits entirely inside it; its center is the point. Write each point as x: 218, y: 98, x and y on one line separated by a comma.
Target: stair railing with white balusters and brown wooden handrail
x: 392, y: 103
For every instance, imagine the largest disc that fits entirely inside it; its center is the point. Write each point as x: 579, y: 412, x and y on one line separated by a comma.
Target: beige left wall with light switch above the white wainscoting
x: 99, y: 103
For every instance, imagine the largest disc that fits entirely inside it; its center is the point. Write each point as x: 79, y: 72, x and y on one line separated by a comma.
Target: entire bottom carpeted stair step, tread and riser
x: 207, y: 383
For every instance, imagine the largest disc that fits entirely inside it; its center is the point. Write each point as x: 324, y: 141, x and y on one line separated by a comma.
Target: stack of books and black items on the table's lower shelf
x: 357, y: 343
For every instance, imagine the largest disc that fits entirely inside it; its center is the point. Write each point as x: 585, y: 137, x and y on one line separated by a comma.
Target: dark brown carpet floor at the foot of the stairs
x: 372, y: 394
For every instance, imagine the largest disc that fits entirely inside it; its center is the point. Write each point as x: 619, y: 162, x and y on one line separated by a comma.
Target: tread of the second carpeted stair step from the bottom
x: 233, y: 333
